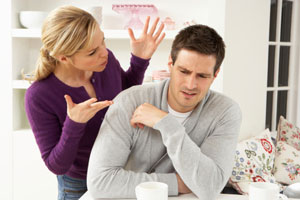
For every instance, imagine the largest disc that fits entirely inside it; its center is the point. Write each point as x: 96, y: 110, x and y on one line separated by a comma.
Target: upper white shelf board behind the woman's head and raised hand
x: 109, y: 34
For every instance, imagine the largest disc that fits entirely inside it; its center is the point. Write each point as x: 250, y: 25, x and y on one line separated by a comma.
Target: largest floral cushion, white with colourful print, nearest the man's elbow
x: 254, y: 160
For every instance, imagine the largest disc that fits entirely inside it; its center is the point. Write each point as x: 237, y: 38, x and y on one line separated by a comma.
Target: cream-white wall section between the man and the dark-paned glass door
x: 245, y: 71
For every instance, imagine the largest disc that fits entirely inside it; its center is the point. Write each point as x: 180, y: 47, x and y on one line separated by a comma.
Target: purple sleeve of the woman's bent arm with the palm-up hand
x: 58, y: 144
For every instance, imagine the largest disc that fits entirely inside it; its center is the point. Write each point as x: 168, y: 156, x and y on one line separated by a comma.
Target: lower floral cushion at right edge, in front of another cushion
x: 287, y: 163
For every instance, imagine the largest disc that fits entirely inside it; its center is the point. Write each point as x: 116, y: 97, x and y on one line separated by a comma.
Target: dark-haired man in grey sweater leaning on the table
x: 177, y: 131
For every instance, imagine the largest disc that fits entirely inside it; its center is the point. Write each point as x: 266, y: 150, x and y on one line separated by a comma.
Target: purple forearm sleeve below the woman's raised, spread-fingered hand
x: 135, y: 73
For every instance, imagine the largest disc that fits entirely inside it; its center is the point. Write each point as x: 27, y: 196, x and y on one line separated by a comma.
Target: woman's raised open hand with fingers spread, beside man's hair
x: 146, y: 44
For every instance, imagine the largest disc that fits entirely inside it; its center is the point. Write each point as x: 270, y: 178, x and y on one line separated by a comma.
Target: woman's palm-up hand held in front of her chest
x: 84, y: 111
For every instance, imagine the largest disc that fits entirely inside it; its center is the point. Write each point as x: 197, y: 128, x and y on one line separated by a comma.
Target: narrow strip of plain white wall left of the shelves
x: 5, y: 103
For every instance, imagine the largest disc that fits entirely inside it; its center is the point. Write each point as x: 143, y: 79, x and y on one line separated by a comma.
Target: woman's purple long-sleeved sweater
x: 65, y: 145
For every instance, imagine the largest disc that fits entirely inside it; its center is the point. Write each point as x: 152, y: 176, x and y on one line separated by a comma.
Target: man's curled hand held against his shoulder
x: 146, y: 115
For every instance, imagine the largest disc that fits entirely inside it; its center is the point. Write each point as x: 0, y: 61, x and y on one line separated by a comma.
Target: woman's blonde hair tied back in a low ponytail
x: 66, y: 30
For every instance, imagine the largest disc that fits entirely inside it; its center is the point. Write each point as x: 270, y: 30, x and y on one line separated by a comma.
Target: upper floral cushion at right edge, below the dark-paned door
x: 289, y: 133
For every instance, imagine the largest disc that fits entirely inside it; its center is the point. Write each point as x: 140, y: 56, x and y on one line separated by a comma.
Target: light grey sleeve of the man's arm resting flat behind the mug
x: 107, y: 176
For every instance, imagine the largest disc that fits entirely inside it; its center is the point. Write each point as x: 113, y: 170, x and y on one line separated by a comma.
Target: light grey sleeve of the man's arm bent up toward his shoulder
x: 206, y: 169
